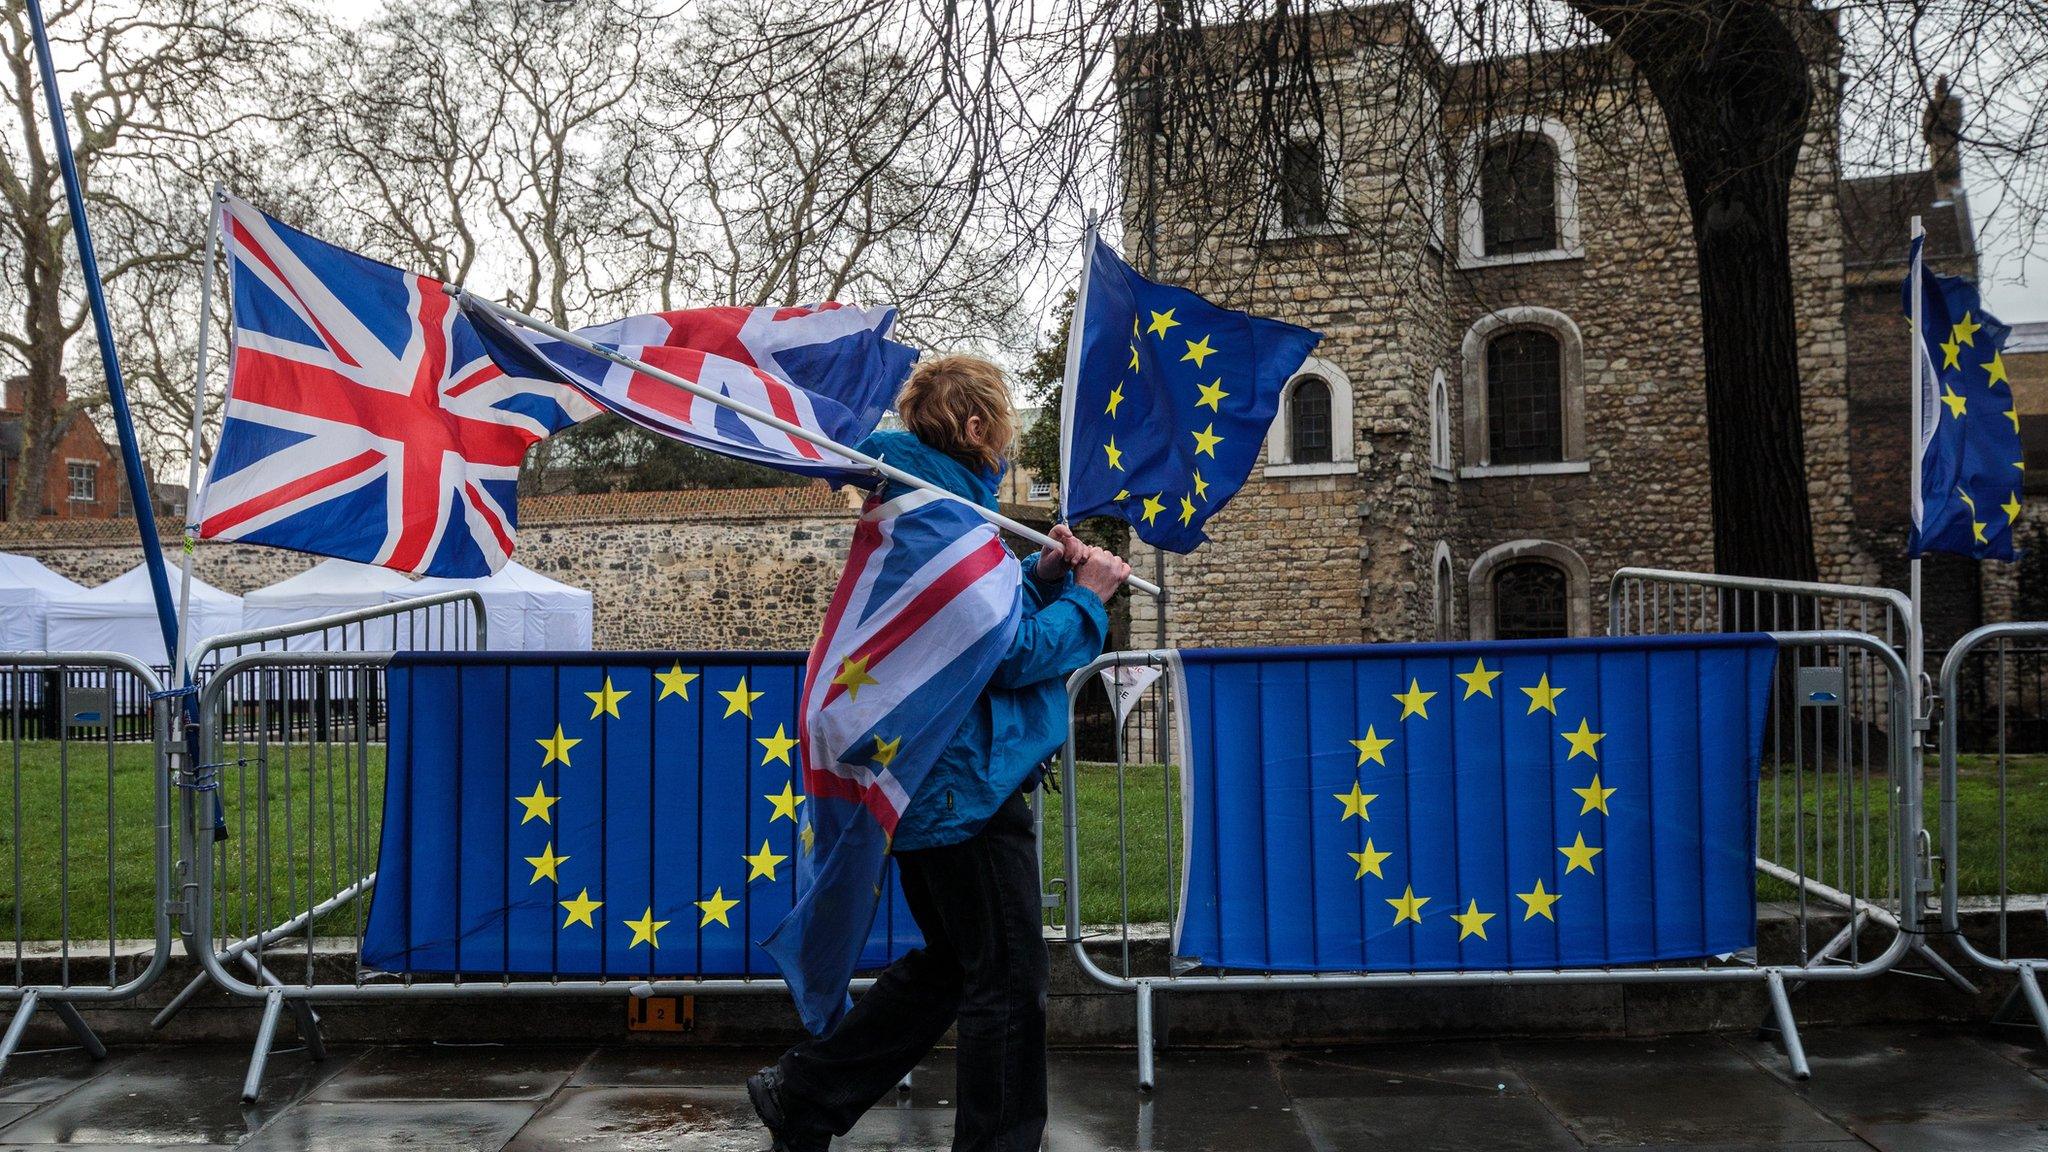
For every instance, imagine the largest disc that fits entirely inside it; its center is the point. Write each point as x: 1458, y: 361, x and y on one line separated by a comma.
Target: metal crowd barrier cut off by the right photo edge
x: 2002, y: 671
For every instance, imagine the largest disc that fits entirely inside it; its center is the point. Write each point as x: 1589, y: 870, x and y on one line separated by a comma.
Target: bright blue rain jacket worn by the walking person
x: 1023, y: 714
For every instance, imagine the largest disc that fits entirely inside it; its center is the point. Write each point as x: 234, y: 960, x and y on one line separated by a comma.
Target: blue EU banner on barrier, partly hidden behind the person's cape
x: 595, y: 815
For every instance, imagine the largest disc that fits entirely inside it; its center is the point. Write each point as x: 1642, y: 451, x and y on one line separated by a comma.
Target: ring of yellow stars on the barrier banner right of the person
x: 1480, y: 682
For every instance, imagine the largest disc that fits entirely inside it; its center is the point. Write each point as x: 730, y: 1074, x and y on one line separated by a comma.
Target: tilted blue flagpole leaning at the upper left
x: 89, y: 272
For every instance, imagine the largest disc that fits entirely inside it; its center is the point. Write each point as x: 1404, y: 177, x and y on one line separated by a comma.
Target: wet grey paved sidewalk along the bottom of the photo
x: 1895, y: 1089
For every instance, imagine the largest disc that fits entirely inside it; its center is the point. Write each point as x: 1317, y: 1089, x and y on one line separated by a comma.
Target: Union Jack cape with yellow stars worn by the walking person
x: 923, y: 616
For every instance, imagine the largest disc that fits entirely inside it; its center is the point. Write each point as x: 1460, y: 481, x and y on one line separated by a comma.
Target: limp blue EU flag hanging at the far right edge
x: 1971, y: 456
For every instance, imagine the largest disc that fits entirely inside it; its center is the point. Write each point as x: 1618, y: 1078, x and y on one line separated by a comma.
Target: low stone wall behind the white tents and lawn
x: 736, y: 569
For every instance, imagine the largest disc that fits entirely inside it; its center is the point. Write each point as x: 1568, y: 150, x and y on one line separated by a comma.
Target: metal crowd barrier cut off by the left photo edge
x: 89, y: 835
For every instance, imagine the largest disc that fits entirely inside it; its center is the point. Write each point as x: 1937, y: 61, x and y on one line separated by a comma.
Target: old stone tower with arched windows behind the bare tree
x: 1508, y: 403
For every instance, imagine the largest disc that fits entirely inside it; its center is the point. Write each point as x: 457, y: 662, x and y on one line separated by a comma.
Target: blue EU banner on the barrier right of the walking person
x: 1474, y: 807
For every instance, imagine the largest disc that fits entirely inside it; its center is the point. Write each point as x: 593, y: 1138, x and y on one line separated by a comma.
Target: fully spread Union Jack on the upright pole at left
x: 366, y: 417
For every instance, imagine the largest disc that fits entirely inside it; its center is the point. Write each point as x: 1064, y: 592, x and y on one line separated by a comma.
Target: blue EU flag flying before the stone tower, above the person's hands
x: 1168, y: 401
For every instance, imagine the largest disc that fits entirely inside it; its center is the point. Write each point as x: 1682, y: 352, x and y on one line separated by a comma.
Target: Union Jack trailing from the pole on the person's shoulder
x: 826, y: 368
